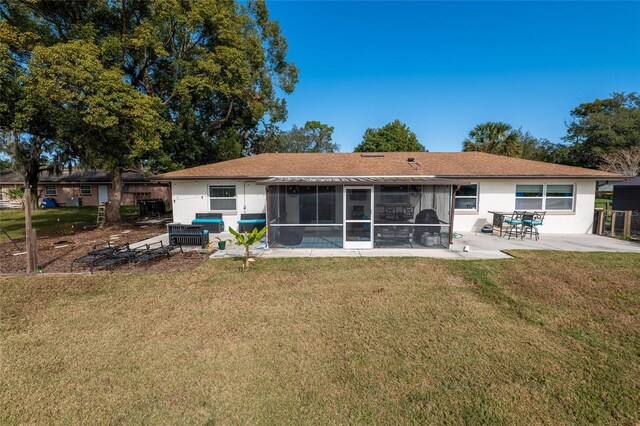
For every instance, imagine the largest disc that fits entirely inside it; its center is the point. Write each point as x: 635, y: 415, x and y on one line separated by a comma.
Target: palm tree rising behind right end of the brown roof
x: 494, y: 138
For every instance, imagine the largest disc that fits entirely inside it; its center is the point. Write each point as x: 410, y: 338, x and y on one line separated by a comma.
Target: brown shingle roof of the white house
x: 440, y: 164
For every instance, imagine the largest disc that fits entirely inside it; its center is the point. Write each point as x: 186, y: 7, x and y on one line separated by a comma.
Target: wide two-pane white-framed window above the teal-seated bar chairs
x: 545, y: 197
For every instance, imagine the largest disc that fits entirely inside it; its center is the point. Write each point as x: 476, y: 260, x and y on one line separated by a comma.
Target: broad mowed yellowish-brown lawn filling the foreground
x: 546, y: 338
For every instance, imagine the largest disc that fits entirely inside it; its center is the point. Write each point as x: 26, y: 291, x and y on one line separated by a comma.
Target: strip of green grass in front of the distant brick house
x: 53, y: 221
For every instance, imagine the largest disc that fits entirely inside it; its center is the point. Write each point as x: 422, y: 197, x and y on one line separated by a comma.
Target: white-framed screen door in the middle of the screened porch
x: 358, y: 217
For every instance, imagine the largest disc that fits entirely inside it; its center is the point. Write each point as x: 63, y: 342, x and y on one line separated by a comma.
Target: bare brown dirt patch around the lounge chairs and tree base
x: 57, y: 252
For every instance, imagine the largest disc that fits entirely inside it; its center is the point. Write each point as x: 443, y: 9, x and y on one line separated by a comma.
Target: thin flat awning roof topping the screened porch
x: 357, y: 180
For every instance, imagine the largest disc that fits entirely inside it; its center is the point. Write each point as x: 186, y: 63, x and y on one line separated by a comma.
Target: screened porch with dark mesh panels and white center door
x: 359, y: 213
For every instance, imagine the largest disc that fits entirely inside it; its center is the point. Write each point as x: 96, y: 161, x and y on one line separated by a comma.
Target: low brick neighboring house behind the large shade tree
x: 92, y: 187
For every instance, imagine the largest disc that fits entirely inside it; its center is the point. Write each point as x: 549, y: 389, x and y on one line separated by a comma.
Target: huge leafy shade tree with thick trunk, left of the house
x: 195, y: 77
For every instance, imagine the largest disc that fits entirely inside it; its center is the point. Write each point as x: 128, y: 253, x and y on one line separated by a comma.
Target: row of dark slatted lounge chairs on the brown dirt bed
x: 107, y: 255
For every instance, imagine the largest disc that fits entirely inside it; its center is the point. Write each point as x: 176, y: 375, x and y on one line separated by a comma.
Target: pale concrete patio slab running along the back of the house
x: 481, y: 246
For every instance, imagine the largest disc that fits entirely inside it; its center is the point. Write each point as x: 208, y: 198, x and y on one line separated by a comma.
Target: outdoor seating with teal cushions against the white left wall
x: 197, y: 233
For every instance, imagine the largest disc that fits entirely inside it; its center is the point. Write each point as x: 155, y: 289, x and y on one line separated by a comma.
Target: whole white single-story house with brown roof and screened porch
x: 399, y: 199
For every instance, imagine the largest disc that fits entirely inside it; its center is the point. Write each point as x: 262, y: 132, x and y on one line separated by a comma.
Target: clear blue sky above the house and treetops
x: 442, y: 67
